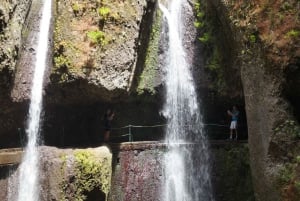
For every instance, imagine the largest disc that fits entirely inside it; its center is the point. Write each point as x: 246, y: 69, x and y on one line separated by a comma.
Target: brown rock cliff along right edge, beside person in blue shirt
x: 265, y: 37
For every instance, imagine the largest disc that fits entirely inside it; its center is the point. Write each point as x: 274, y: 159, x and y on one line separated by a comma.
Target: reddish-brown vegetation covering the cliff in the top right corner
x: 274, y: 24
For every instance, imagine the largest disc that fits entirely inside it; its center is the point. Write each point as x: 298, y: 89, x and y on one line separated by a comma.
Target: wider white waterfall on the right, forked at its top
x: 187, y: 175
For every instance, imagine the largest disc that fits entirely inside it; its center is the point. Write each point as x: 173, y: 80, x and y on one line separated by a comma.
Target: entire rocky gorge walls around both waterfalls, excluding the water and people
x: 111, y: 54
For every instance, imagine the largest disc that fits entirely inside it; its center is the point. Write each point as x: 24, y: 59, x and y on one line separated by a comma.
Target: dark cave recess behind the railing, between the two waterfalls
x: 83, y: 125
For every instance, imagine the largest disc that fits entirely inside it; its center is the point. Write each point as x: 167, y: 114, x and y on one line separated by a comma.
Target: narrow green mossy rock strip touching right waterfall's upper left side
x: 147, y: 78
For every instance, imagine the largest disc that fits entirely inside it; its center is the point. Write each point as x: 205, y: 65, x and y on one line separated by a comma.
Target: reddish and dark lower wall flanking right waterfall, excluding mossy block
x: 138, y: 172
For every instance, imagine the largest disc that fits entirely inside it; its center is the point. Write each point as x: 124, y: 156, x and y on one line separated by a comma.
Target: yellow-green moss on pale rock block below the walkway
x: 89, y: 172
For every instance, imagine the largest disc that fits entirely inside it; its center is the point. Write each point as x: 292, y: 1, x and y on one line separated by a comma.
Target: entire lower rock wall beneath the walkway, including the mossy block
x: 128, y: 171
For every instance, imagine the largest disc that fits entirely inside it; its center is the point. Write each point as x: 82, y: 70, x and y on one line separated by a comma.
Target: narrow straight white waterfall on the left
x: 28, y: 178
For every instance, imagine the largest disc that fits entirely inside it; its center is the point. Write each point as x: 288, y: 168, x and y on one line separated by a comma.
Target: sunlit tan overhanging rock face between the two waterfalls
x: 96, y: 45
